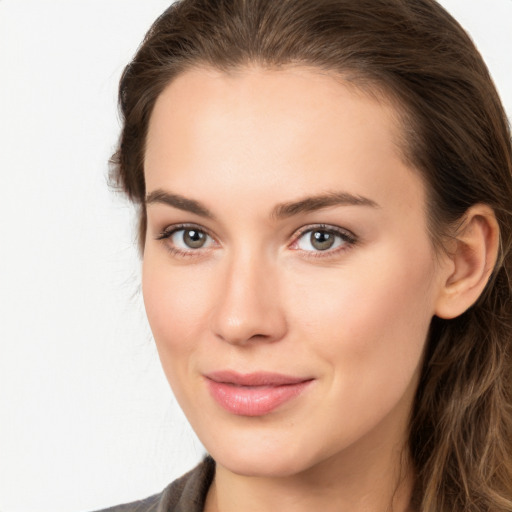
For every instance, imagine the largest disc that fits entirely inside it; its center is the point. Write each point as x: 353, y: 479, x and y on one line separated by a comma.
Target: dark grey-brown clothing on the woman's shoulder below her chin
x: 186, y: 494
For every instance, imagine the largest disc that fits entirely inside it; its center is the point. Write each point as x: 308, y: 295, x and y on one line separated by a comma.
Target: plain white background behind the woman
x: 86, y: 416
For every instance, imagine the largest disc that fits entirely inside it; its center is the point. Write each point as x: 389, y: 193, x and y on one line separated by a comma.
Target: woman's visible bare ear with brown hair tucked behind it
x: 471, y: 257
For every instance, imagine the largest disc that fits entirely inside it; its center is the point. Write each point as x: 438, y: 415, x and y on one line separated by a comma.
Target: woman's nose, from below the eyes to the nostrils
x: 248, y: 308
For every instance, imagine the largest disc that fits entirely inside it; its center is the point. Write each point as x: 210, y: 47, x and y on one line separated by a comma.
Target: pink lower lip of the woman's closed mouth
x: 254, y: 400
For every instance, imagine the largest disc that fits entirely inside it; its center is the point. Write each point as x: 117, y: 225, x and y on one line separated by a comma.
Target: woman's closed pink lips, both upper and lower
x: 254, y: 394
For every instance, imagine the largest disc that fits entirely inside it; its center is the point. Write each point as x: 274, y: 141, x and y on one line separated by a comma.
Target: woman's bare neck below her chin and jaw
x: 348, y: 483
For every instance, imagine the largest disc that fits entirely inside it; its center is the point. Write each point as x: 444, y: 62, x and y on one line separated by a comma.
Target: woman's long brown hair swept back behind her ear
x: 455, y: 134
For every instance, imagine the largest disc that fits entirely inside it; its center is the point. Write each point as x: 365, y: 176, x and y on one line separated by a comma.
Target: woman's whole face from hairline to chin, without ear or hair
x: 288, y: 276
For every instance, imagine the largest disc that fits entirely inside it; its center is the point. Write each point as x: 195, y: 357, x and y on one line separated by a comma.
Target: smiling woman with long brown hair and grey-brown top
x: 324, y: 192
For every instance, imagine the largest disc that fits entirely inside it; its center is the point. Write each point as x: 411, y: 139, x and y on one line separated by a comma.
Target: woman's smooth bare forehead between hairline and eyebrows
x: 290, y: 130
